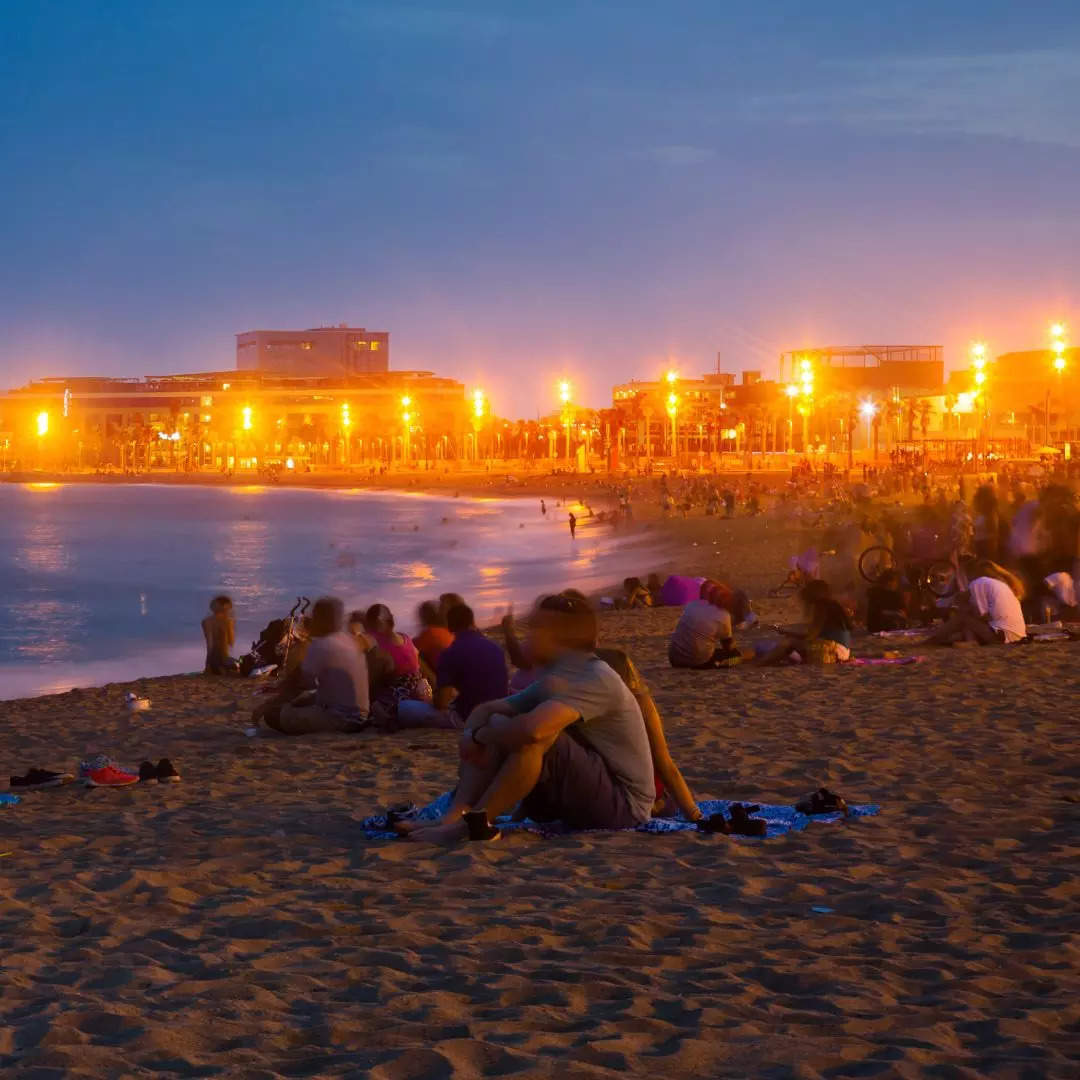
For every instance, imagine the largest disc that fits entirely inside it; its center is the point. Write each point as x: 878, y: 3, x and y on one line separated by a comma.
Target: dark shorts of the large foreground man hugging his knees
x: 577, y: 789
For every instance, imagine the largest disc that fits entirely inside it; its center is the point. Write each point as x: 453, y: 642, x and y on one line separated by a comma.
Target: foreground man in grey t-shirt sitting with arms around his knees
x: 574, y: 749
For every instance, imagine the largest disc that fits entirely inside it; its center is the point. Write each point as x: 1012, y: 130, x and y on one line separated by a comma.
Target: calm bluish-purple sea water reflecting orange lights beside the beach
x: 109, y: 583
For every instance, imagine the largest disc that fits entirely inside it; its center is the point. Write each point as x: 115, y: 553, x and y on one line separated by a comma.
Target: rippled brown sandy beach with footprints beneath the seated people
x: 240, y: 925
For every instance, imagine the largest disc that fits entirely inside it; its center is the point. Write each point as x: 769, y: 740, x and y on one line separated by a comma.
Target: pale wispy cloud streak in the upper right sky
x: 1029, y: 96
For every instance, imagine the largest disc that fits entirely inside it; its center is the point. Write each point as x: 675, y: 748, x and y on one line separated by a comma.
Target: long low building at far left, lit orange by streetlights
x: 252, y: 418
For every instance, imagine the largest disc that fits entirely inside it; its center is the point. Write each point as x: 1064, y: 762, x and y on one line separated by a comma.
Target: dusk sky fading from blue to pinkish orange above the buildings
x: 522, y: 192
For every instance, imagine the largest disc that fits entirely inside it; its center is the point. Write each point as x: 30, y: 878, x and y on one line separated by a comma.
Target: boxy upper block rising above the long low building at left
x: 323, y: 352
